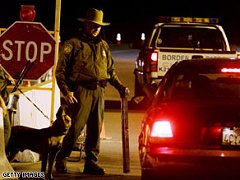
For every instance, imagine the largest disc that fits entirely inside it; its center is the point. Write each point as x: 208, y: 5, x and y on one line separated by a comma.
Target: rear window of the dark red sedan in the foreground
x: 199, y: 86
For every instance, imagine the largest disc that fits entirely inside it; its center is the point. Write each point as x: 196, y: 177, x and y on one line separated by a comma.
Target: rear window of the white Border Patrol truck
x: 183, y: 36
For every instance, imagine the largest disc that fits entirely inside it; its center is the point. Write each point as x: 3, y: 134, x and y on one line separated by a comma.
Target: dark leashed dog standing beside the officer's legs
x: 46, y: 141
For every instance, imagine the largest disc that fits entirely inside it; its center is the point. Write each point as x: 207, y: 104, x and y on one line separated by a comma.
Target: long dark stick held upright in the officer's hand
x: 125, y: 134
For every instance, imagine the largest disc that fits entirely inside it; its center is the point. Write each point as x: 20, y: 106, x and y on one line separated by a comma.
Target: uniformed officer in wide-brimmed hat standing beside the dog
x: 84, y: 68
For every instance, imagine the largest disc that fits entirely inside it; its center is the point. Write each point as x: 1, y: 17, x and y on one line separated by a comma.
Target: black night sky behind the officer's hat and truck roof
x: 128, y: 17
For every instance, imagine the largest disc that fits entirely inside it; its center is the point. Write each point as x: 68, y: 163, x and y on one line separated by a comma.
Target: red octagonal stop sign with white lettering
x: 23, y: 42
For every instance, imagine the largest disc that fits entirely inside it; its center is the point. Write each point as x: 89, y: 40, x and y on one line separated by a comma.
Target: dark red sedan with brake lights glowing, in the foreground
x: 192, y: 128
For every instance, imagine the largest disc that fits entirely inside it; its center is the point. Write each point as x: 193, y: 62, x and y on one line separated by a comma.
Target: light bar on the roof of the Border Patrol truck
x: 188, y: 19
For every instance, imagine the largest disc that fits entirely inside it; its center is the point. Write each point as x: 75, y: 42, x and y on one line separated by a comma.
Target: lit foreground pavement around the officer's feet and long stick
x: 111, y: 156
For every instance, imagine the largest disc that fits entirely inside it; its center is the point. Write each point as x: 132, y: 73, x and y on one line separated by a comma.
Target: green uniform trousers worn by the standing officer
x: 88, y: 111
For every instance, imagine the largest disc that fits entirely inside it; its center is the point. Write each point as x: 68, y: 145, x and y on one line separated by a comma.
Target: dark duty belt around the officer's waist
x: 92, y: 84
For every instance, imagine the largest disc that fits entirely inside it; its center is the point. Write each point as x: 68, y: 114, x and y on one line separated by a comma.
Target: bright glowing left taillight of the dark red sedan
x: 162, y: 129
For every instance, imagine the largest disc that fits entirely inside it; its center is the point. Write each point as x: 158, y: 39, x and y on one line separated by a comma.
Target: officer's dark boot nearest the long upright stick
x: 91, y: 167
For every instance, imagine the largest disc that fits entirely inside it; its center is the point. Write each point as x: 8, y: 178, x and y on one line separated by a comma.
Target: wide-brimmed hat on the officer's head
x: 95, y: 16
